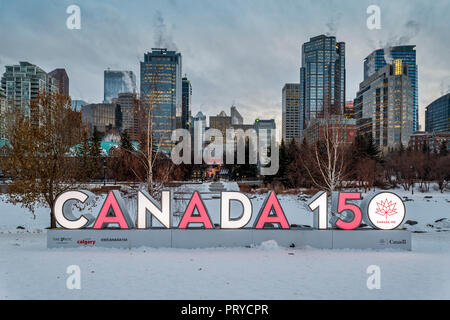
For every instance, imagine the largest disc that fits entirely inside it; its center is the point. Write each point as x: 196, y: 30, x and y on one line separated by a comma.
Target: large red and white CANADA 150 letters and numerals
x: 384, y: 211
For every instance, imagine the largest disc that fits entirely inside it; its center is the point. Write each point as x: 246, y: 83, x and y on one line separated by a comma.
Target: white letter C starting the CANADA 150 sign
x: 63, y: 209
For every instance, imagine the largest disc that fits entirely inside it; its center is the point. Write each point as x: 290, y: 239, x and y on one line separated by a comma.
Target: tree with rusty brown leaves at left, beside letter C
x: 40, y: 157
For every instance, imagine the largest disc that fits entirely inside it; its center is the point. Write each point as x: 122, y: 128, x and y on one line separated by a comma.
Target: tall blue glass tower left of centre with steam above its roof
x: 161, y: 89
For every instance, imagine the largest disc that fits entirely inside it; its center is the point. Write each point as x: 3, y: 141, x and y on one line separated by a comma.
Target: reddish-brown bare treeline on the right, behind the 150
x: 365, y: 166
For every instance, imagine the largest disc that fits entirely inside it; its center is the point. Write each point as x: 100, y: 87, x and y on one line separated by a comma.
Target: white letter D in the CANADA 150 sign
x: 234, y: 223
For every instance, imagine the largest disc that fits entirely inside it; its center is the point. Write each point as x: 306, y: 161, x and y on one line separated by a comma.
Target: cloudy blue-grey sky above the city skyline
x: 233, y: 51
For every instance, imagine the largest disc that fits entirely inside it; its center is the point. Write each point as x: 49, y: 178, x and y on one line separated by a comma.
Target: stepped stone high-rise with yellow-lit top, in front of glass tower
x: 384, y: 106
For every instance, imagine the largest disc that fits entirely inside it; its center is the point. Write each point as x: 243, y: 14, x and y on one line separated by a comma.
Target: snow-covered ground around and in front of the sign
x: 28, y: 270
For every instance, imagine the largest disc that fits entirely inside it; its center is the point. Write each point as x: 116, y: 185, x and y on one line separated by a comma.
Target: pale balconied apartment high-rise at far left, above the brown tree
x: 23, y: 82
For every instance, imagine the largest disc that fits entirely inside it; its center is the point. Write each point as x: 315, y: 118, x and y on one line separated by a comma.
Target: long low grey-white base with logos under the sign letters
x: 206, y: 238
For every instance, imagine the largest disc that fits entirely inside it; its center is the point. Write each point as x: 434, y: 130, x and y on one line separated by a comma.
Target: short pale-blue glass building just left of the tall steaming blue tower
x: 116, y: 82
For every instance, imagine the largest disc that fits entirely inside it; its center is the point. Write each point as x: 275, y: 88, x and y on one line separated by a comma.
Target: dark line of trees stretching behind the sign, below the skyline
x: 299, y: 166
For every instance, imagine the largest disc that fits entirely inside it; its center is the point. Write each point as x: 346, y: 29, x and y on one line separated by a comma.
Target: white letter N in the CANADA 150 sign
x: 147, y: 203
